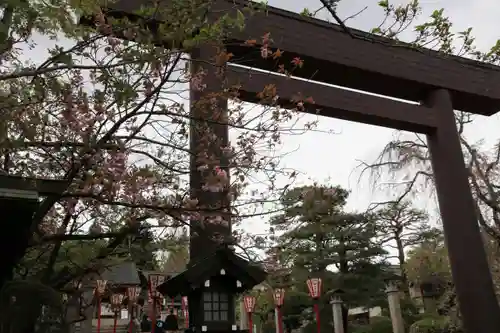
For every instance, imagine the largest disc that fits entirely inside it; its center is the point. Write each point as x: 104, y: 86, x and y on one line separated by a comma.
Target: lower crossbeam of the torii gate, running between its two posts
x: 334, y: 102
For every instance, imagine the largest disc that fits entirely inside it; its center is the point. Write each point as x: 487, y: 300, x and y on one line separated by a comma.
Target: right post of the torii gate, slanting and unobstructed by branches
x: 469, y: 266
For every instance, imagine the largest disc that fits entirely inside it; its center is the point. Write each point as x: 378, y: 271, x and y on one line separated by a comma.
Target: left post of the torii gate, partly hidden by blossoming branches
x: 209, y: 133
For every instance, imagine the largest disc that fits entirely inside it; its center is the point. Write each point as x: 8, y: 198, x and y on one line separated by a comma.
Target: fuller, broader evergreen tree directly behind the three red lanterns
x: 320, y: 239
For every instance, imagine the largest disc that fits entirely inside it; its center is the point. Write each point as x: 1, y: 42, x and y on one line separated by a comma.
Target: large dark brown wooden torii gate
x: 377, y: 65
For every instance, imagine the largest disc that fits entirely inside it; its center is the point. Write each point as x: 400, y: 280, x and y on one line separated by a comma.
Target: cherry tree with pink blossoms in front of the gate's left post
x: 104, y: 107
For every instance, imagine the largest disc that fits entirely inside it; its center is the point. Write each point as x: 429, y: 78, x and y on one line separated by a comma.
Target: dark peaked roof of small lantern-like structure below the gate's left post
x: 198, y: 272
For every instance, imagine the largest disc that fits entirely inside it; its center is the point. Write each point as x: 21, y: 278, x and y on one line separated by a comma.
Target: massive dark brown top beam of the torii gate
x: 366, y: 62
